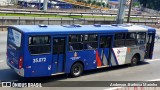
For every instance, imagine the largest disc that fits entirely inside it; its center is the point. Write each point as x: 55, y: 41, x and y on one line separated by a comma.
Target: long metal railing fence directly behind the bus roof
x: 5, y: 21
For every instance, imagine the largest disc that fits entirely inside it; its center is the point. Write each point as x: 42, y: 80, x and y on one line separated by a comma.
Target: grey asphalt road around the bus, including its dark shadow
x: 148, y: 70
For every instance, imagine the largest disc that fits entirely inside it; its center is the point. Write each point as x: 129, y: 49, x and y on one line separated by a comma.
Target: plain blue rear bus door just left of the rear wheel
x: 58, y: 55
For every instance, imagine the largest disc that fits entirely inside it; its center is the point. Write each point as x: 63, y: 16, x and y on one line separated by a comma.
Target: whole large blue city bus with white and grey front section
x: 45, y: 50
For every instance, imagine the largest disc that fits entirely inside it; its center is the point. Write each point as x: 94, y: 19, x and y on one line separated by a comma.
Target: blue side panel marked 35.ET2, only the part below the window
x: 40, y: 65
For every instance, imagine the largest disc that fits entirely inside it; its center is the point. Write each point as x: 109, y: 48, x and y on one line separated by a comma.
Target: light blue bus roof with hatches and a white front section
x: 75, y: 29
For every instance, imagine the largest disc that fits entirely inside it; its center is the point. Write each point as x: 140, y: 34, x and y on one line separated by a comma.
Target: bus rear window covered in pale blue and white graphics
x: 14, y: 37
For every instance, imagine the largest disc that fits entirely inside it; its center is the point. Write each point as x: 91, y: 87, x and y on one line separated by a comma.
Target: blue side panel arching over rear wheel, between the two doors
x: 88, y: 57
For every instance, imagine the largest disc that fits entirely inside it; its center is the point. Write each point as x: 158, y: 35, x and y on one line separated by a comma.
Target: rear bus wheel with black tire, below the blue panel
x: 76, y: 70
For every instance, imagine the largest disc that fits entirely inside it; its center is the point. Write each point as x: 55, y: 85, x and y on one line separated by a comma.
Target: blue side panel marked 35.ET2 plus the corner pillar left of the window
x: 36, y: 65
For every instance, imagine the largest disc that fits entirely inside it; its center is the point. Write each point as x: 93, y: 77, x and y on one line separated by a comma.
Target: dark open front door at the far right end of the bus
x: 149, y: 46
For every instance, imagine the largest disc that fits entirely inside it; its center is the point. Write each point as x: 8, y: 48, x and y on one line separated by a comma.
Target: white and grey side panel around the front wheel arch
x: 123, y: 55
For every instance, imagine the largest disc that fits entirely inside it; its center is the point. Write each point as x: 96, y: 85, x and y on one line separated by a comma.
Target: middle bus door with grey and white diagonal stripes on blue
x: 105, y: 49
